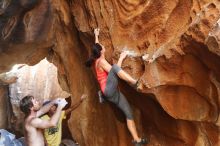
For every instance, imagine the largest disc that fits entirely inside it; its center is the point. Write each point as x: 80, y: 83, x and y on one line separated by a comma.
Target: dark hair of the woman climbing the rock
x: 96, y: 53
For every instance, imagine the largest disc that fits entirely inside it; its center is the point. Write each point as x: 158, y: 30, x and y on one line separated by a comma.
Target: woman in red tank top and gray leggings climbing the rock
x: 108, y: 76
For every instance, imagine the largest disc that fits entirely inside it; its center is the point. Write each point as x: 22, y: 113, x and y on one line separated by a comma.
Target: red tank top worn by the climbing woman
x: 101, y: 77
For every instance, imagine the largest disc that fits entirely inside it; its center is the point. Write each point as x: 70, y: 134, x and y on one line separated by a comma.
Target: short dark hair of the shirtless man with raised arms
x: 26, y: 104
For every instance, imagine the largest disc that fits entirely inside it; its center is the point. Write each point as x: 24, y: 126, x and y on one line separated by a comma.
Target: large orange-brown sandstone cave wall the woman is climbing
x: 178, y: 98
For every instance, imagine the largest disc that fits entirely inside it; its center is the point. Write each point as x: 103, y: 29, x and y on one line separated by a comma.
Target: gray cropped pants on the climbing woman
x: 113, y: 94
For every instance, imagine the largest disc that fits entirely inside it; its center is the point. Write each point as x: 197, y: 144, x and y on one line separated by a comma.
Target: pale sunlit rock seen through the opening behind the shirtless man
x: 39, y: 81
